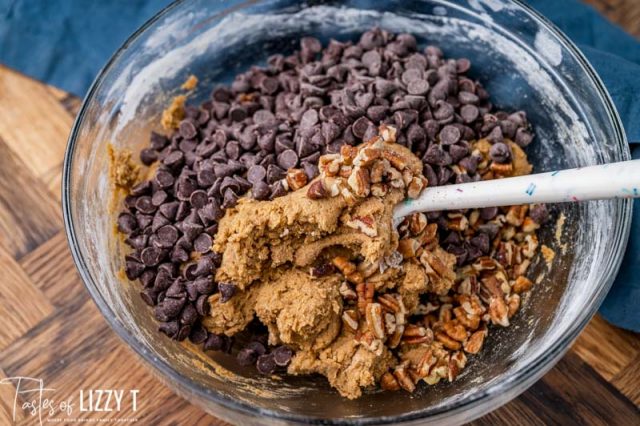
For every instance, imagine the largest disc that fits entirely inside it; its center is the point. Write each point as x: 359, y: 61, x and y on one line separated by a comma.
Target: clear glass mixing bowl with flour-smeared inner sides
x: 524, y: 62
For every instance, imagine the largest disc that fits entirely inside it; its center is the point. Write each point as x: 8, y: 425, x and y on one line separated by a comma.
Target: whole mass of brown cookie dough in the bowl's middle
x: 285, y: 237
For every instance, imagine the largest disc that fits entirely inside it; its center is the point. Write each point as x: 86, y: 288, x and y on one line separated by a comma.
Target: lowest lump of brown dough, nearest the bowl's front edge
x: 347, y: 365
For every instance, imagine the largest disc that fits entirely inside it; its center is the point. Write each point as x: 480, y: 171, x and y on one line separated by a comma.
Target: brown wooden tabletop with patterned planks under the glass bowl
x: 51, y: 329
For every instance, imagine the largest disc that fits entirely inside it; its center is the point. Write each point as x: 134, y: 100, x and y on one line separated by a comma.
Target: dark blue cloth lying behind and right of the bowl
x: 64, y: 43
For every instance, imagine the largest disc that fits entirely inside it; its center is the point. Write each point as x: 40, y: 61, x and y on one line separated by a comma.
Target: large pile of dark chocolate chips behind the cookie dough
x: 285, y: 116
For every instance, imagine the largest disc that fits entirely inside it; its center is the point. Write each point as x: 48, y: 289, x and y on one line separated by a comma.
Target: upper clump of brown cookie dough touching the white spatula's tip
x: 296, y: 229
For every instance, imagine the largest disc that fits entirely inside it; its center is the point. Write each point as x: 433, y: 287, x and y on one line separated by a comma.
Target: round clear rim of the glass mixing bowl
x: 517, y: 383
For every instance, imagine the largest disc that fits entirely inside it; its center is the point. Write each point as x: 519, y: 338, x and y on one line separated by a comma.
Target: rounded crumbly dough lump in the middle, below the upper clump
x: 300, y: 311
